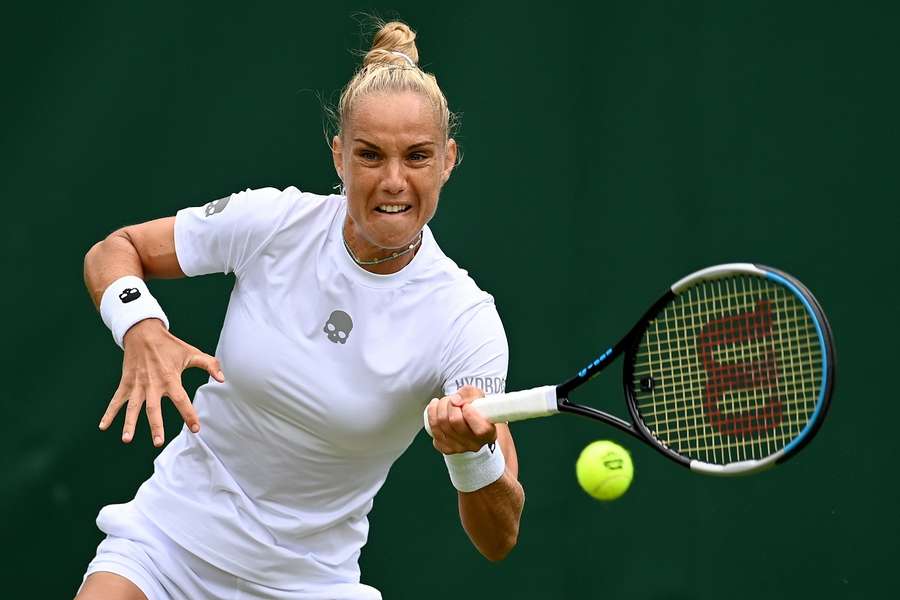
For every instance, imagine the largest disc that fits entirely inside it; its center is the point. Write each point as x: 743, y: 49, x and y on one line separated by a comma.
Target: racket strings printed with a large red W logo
x: 729, y: 371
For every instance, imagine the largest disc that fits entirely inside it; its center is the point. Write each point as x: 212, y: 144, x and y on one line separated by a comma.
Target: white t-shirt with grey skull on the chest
x: 328, y: 368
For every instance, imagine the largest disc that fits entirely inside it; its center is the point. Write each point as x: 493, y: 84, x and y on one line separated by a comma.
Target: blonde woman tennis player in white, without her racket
x: 345, y: 320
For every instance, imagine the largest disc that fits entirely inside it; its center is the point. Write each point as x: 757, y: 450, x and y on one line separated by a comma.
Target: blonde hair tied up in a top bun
x: 391, y: 65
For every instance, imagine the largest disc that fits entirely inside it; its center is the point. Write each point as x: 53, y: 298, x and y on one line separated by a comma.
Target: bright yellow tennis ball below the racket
x: 604, y: 470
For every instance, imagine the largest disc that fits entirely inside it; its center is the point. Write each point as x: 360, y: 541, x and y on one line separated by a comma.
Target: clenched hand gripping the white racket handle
x: 456, y: 426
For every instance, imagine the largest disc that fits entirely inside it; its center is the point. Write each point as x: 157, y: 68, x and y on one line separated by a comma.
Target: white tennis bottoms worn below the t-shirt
x: 139, y: 551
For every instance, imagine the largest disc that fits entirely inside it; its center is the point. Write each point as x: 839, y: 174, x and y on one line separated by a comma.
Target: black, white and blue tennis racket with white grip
x: 729, y: 373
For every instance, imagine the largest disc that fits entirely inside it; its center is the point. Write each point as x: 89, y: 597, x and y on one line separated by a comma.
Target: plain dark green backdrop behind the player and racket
x: 609, y: 151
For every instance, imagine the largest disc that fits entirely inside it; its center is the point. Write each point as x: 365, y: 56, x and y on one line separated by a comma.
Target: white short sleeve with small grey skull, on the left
x: 222, y: 236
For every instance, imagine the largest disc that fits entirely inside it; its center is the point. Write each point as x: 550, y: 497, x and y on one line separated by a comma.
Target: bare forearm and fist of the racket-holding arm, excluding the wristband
x: 490, y: 515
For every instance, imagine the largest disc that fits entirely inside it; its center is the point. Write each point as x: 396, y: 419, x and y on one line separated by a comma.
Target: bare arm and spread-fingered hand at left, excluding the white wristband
x: 154, y: 358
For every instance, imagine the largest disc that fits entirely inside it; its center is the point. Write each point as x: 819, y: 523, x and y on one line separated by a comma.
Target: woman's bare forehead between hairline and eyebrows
x: 394, y: 117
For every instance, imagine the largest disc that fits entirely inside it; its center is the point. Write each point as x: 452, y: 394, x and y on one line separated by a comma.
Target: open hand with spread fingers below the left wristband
x: 152, y: 367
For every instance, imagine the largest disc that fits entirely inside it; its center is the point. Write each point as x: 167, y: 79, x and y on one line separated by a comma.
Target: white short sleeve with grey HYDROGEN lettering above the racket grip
x: 477, y: 352
